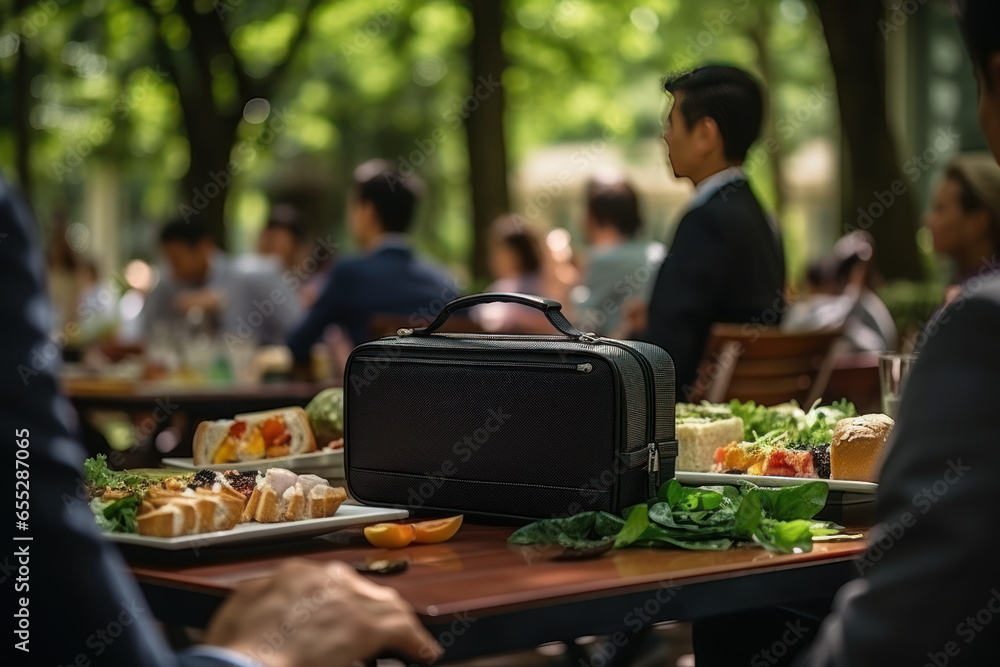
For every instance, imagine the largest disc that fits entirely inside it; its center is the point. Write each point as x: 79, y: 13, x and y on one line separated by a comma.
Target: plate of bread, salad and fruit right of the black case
x: 781, y: 445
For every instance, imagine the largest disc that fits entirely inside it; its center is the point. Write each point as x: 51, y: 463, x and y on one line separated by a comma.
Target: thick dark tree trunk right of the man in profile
x: 881, y: 200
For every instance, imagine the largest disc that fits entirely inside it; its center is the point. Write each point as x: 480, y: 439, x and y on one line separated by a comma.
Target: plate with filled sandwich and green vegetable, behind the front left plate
x: 309, y: 440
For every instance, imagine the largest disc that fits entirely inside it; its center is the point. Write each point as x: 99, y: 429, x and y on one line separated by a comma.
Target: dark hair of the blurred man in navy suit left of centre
x: 393, y: 195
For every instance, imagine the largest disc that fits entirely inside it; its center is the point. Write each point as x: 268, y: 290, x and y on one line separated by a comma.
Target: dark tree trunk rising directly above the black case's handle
x: 485, y: 127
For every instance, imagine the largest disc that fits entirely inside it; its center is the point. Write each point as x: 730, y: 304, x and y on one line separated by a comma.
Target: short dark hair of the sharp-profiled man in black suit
x: 727, y: 95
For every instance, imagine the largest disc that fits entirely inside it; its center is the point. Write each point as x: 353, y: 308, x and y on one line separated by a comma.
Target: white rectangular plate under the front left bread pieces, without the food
x: 258, y: 533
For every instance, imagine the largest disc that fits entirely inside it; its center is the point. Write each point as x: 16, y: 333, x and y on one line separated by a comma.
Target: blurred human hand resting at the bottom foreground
x: 310, y: 615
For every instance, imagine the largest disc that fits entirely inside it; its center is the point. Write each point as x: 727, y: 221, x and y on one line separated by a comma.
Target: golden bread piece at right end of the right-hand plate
x: 858, y: 447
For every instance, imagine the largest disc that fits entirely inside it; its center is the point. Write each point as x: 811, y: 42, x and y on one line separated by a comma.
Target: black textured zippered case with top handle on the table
x: 500, y: 426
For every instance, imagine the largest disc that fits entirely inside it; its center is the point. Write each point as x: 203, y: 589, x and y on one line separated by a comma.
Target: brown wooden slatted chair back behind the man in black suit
x: 762, y: 364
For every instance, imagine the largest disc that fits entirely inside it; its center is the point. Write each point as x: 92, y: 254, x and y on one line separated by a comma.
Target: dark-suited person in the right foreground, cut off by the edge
x: 929, y: 588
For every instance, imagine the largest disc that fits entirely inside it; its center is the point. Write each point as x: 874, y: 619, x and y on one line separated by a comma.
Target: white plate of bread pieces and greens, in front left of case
x: 180, y: 509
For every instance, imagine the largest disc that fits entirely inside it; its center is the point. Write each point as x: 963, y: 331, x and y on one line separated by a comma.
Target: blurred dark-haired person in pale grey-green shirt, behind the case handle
x: 621, y: 268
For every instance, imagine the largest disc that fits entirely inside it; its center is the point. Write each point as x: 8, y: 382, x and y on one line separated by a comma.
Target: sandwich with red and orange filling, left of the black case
x: 253, y: 437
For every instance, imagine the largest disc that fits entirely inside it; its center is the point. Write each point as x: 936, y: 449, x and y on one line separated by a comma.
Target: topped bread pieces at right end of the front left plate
x: 281, y: 495
